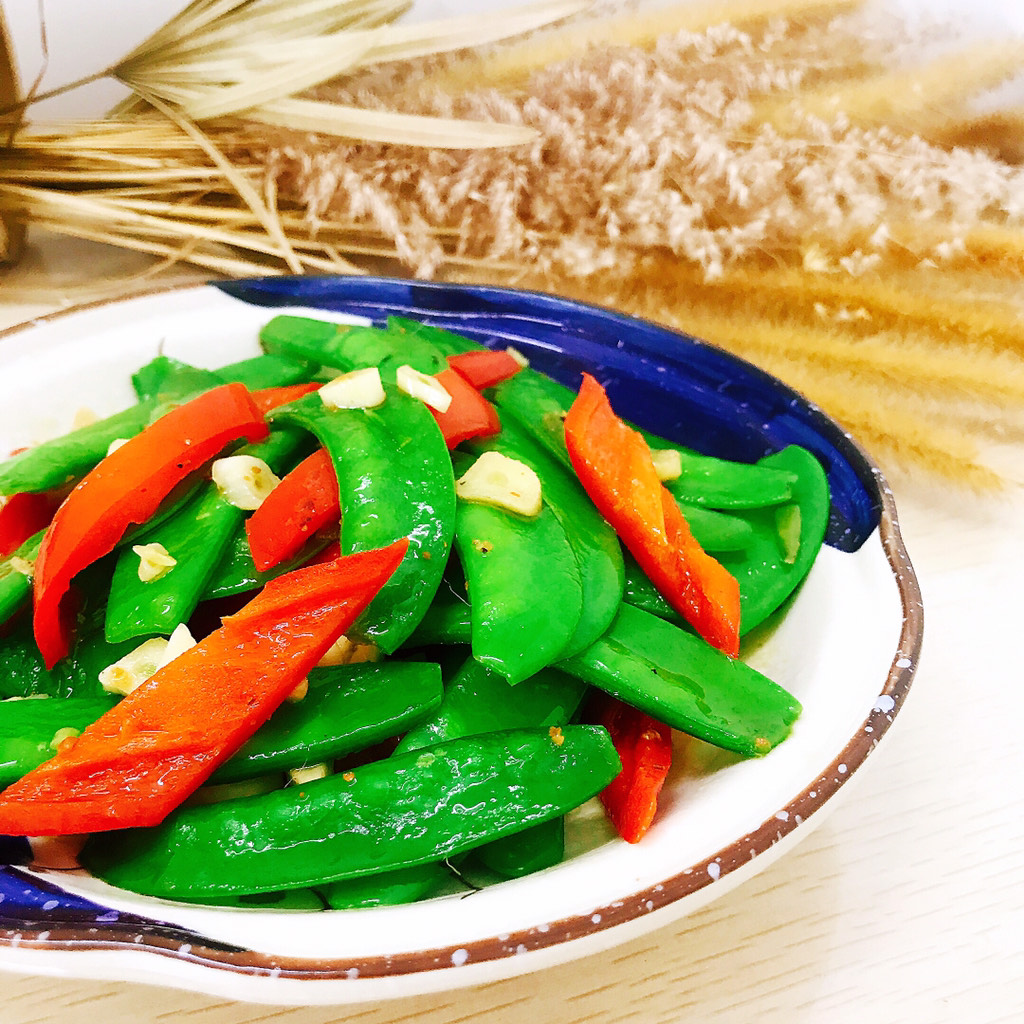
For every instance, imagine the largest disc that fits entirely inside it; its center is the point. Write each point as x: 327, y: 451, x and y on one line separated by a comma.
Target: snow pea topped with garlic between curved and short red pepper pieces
x: 197, y: 536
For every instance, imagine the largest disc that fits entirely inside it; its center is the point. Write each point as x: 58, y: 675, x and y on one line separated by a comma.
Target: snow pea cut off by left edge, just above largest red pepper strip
x: 30, y: 730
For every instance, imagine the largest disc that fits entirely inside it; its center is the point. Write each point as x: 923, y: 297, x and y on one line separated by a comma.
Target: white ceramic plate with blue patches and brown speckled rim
x: 847, y: 648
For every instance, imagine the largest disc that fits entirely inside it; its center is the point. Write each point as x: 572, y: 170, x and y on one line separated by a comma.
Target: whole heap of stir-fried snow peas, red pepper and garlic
x: 380, y: 608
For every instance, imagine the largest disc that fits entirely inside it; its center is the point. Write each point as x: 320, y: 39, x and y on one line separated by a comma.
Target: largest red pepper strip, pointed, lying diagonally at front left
x: 147, y: 755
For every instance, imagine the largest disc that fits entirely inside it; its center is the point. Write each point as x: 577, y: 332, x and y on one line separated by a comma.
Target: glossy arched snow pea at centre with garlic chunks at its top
x: 396, y: 481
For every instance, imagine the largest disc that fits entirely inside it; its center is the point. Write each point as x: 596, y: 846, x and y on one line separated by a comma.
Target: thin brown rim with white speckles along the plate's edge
x: 186, y: 947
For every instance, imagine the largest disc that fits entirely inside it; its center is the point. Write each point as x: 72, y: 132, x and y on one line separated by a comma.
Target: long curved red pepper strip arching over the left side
x: 127, y: 488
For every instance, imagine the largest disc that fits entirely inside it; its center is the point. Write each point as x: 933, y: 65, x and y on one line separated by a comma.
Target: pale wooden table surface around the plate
x: 907, y: 905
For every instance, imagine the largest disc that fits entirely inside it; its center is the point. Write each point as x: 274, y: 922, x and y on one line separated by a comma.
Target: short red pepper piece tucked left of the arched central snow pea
x: 306, y: 501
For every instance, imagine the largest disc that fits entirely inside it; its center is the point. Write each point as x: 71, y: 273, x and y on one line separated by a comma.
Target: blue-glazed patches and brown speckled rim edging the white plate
x: 674, y: 386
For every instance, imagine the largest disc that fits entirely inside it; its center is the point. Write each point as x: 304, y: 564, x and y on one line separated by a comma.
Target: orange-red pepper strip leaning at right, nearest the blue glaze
x: 615, y: 466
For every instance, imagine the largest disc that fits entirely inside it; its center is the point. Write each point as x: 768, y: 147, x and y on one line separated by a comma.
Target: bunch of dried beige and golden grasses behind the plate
x: 754, y: 183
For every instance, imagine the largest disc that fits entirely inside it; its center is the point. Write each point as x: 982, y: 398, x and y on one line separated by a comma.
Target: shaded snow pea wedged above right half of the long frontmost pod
x: 479, y: 700
